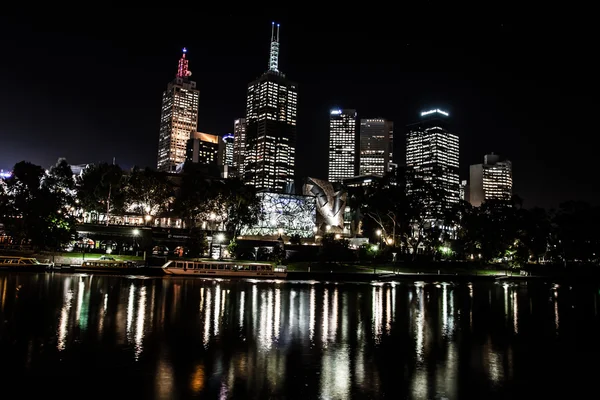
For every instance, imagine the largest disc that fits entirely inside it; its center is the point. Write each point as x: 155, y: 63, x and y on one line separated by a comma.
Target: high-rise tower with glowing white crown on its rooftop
x: 432, y: 152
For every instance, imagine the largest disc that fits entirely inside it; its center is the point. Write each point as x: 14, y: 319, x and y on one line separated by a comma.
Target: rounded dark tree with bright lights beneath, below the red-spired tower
x: 147, y: 192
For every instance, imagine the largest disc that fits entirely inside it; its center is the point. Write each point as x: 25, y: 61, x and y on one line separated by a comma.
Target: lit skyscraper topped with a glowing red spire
x: 178, y: 119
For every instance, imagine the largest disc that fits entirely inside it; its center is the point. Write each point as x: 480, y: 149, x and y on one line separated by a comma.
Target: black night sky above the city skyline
x: 89, y: 89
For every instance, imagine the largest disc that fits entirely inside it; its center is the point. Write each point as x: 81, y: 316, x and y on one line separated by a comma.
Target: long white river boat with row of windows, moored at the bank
x: 224, y: 269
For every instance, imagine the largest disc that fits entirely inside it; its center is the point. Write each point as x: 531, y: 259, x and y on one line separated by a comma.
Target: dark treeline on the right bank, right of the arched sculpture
x: 500, y: 231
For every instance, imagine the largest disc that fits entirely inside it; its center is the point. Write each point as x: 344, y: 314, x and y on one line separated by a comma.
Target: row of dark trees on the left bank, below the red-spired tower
x: 42, y: 208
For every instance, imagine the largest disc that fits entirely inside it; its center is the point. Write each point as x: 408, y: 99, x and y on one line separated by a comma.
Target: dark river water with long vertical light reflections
x: 92, y: 336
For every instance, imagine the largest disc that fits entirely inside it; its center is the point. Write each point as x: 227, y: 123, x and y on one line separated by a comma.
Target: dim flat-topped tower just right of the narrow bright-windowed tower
x: 376, y: 137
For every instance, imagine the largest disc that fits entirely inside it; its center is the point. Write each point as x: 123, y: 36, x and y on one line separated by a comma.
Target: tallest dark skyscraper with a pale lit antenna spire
x: 271, y: 126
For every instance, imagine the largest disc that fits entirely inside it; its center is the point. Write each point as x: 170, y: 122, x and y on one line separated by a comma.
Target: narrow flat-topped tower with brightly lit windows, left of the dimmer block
x: 342, y: 145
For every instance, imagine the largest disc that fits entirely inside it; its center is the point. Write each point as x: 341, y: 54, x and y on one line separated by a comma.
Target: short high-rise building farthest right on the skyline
x: 491, y: 180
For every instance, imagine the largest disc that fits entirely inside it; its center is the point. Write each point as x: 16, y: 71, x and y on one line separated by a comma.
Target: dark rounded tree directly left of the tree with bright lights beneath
x: 100, y: 189
